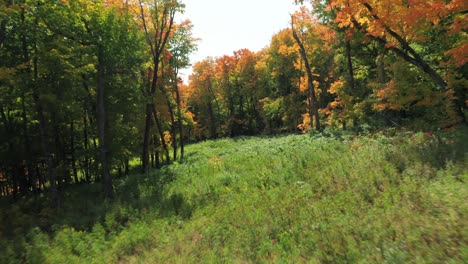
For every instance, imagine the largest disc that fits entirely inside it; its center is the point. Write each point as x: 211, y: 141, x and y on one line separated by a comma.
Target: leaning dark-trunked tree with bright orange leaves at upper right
x: 380, y: 20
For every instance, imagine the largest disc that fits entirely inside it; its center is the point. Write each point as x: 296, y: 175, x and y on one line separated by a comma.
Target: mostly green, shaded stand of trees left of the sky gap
x: 87, y: 86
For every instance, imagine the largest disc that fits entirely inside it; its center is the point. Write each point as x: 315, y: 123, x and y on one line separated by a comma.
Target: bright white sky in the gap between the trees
x: 225, y: 26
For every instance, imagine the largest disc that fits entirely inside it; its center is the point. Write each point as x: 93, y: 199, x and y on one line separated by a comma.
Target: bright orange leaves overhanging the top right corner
x: 407, y: 19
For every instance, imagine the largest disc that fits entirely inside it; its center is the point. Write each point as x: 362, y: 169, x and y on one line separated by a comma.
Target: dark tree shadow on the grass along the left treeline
x: 137, y: 197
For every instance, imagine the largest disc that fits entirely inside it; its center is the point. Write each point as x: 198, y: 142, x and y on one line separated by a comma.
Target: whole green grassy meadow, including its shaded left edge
x: 387, y: 197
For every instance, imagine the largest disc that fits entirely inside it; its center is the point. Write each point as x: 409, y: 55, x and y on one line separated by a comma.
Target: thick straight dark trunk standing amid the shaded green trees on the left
x: 101, y: 120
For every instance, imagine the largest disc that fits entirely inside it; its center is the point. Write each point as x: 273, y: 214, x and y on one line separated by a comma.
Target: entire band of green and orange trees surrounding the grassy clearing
x: 88, y: 86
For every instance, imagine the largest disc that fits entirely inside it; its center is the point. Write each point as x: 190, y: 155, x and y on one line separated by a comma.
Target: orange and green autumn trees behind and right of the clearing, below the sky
x: 341, y: 64
